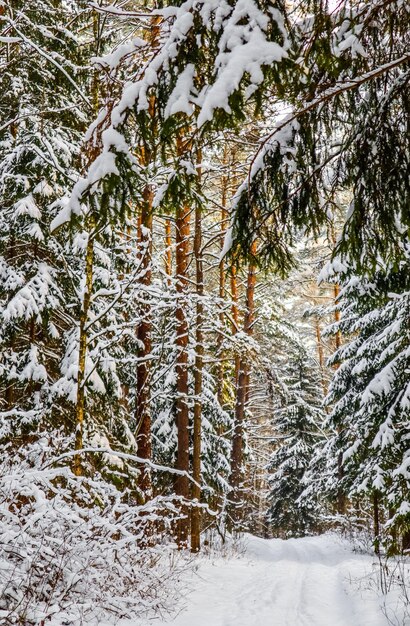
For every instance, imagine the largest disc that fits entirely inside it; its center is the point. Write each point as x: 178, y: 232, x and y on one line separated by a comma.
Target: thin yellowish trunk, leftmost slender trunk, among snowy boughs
x: 82, y: 352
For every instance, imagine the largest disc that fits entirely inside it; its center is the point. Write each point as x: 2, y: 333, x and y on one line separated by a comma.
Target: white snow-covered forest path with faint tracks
x: 314, y: 581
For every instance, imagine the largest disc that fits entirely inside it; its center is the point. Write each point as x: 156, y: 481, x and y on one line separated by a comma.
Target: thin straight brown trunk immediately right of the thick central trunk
x: 199, y: 358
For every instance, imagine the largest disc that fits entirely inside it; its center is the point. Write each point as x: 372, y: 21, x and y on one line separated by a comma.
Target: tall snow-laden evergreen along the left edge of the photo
x: 40, y: 137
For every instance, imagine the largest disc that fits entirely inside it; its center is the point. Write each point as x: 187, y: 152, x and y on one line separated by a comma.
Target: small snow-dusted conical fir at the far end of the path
x: 297, y: 422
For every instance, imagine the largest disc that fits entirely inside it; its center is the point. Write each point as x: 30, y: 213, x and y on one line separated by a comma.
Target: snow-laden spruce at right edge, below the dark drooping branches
x: 369, y: 392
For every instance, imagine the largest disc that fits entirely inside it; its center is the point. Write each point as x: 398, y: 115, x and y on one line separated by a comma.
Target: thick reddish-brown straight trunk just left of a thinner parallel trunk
x: 182, y: 225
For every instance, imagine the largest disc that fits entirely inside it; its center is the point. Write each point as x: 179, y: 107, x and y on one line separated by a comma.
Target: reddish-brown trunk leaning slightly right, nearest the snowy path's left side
x: 242, y: 393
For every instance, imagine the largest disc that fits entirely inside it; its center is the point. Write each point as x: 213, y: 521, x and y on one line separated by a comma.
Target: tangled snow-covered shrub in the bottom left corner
x: 72, y: 552
